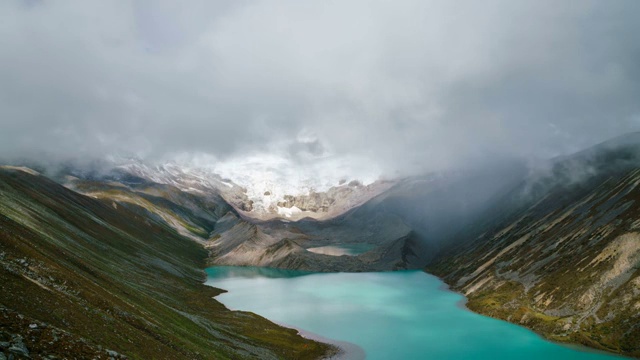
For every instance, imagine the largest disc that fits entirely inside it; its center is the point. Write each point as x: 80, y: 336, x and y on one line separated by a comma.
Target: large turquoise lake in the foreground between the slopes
x: 391, y: 315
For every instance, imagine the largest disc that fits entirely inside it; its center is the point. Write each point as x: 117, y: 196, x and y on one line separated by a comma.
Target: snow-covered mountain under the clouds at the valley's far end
x: 260, y: 196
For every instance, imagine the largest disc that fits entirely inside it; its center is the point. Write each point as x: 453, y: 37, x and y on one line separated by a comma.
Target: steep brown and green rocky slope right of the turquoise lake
x: 560, y: 253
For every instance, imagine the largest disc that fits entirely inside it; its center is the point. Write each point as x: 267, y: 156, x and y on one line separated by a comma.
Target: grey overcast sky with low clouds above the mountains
x: 316, y: 87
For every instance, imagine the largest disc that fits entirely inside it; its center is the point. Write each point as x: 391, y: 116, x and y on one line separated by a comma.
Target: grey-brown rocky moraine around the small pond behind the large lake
x: 289, y: 245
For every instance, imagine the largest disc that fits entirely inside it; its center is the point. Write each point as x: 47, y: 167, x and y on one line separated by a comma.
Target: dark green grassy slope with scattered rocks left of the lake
x: 86, y: 278
